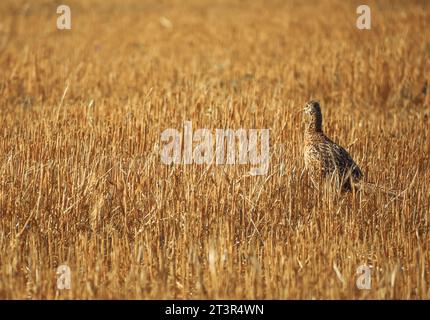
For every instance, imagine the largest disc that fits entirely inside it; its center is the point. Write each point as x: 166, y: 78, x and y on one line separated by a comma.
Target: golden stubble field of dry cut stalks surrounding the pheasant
x: 82, y: 184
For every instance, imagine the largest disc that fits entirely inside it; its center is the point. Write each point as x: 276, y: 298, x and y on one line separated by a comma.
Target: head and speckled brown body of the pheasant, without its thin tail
x: 324, y: 159
